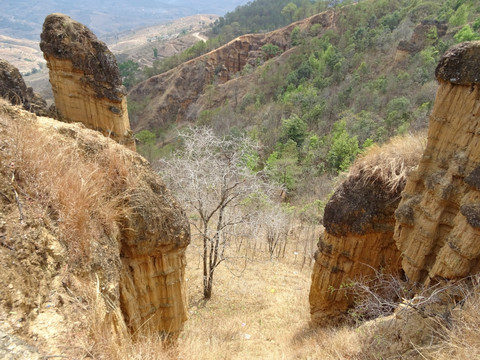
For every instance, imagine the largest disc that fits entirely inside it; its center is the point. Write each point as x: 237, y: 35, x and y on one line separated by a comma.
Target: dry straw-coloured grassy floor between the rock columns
x: 257, y: 311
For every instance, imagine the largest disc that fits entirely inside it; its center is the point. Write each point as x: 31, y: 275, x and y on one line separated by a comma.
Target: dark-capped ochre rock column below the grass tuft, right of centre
x: 358, y: 240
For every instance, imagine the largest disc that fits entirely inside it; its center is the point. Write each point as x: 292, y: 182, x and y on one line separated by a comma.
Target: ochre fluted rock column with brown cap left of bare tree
x: 155, y: 235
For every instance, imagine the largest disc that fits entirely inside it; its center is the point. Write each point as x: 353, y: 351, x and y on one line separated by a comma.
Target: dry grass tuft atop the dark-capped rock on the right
x: 391, y: 162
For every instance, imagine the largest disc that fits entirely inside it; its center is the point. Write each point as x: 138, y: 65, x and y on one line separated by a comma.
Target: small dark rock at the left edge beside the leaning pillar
x: 13, y: 89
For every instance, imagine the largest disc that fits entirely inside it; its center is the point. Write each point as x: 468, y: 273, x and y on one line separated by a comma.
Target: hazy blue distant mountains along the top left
x: 24, y: 18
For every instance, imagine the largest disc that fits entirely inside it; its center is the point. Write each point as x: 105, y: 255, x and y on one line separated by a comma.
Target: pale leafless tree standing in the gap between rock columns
x: 213, y: 178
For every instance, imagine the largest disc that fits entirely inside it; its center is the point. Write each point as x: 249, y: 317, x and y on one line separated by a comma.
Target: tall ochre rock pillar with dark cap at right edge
x: 438, y: 227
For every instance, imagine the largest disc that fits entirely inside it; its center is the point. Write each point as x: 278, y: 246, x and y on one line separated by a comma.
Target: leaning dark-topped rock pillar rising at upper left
x: 85, y: 78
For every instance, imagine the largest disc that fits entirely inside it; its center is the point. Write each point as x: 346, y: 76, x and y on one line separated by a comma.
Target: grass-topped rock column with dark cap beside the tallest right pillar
x: 359, y: 224
